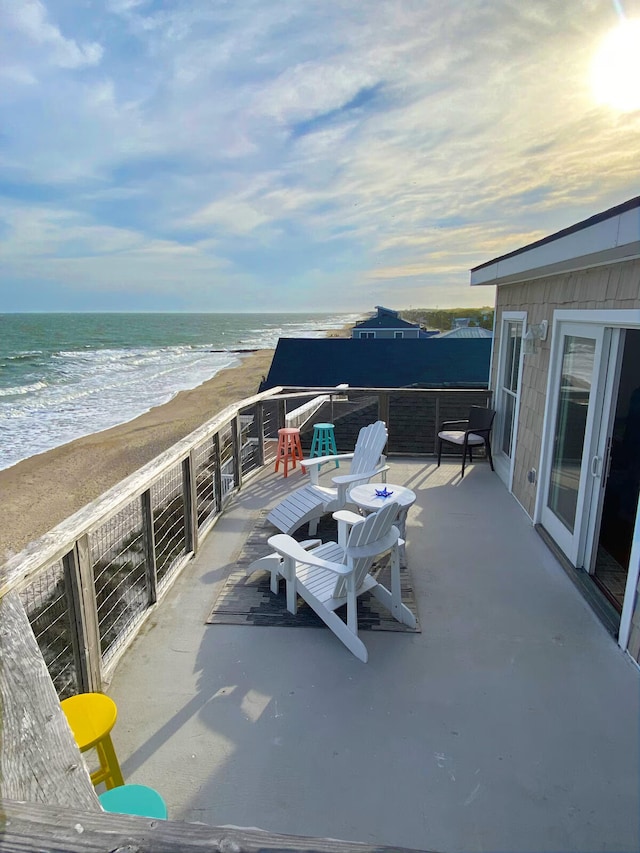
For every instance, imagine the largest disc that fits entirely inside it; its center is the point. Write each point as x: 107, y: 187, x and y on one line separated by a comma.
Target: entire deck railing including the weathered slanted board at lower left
x: 73, y: 600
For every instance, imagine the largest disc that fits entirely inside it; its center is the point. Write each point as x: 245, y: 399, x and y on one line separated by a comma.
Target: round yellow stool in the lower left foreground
x: 91, y: 716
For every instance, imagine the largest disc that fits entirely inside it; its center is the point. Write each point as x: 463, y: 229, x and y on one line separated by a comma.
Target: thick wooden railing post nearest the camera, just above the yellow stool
x: 86, y: 631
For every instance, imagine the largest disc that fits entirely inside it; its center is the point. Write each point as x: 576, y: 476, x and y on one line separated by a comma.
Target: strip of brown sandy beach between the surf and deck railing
x: 42, y: 491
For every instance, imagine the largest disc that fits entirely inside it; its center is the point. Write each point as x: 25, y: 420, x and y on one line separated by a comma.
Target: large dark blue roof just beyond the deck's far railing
x: 382, y: 363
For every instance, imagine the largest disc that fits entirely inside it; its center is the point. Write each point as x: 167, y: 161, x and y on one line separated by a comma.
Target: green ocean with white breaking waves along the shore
x: 63, y: 376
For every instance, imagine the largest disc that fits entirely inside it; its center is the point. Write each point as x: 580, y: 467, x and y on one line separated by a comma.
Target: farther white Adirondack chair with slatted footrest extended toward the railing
x: 309, y: 503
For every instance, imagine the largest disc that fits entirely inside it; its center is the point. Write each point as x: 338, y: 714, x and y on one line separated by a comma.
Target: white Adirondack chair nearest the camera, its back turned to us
x: 331, y: 575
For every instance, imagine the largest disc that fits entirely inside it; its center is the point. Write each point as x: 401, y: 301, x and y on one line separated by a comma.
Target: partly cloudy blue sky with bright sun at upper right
x: 298, y: 155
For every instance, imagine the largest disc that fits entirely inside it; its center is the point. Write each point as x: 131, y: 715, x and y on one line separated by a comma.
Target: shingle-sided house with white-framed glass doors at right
x: 566, y: 385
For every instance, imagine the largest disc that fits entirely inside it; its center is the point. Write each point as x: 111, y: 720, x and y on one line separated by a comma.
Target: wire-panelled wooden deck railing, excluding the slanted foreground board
x: 88, y: 584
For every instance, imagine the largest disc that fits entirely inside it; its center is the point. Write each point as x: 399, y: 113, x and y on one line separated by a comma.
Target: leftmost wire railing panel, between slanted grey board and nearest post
x: 48, y: 608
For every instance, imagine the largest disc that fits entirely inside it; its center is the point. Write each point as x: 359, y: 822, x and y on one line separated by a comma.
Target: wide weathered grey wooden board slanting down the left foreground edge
x: 39, y: 760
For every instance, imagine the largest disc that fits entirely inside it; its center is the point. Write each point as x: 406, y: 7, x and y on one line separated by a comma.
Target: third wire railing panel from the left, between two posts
x: 167, y: 501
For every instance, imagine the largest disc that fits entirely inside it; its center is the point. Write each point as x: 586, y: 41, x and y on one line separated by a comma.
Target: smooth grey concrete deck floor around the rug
x: 509, y: 724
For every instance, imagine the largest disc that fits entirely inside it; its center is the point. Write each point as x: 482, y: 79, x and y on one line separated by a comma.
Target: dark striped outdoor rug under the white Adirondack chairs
x: 249, y: 600
